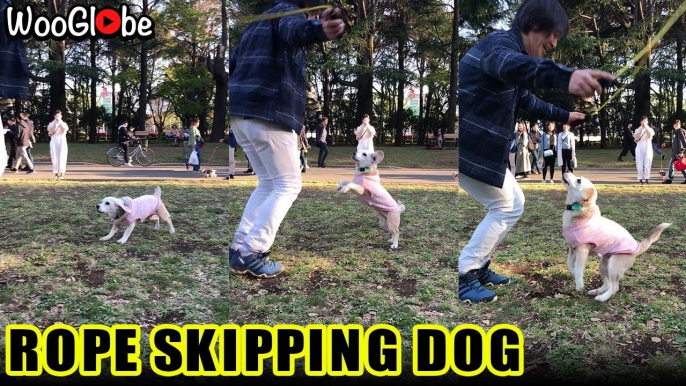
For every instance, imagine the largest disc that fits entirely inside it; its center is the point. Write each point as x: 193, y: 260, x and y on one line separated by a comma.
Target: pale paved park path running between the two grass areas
x: 170, y: 172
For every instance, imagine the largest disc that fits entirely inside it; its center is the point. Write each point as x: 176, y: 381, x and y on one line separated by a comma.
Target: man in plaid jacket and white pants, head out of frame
x: 267, y: 89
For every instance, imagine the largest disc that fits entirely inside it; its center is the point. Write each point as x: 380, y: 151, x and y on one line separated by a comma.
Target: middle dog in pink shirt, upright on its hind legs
x: 367, y: 184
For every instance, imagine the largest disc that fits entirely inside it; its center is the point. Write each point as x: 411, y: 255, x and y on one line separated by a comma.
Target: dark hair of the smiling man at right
x: 542, y: 16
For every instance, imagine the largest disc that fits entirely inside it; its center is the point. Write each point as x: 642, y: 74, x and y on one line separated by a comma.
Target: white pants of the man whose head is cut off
x: 270, y: 149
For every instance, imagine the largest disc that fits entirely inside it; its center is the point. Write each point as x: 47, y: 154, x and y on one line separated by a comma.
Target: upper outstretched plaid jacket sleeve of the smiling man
x: 505, y: 63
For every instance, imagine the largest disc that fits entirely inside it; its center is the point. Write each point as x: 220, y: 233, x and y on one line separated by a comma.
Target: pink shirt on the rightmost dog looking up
x: 609, y: 237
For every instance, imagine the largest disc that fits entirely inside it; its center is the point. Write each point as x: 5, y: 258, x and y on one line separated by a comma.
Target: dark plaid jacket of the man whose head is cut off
x: 267, y: 68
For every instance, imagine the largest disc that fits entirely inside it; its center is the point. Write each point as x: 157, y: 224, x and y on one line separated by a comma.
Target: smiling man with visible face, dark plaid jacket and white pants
x: 495, y: 77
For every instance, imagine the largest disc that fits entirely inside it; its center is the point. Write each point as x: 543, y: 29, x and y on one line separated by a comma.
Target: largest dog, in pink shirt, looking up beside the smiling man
x: 585, y: 230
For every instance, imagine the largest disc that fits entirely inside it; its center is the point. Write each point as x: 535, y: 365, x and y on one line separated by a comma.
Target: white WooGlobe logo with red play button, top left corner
x: 80, y: 23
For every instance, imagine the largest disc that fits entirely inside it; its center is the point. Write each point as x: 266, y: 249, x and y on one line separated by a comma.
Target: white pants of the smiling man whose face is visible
x: 505, y: 207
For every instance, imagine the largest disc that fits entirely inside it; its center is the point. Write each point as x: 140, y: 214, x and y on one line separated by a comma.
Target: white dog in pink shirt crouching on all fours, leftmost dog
x: 126, y: 212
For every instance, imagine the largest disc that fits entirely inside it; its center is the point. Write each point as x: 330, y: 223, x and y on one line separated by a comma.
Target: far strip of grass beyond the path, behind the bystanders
x: 405, y: 157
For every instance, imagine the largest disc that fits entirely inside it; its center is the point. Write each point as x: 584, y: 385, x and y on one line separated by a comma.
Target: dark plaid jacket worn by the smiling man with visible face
x: 495, y: 78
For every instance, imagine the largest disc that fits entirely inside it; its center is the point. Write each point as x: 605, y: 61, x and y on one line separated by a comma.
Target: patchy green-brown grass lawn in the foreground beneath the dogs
x: 339, y: 269
